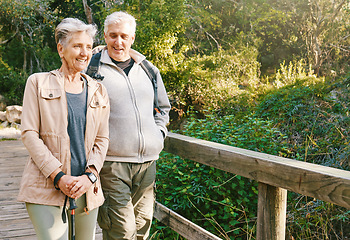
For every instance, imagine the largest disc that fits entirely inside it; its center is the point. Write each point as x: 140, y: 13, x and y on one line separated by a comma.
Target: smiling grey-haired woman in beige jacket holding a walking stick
x: 65, y: 130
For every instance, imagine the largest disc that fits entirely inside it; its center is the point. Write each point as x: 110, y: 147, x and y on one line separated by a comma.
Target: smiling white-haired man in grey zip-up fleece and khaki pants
x: 137, y: 133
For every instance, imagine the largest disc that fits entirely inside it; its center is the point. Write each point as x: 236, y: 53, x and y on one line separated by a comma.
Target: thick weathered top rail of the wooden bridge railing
x: 324, y: 183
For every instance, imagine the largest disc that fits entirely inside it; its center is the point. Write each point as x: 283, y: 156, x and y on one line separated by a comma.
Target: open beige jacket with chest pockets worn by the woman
x: 44, y: 134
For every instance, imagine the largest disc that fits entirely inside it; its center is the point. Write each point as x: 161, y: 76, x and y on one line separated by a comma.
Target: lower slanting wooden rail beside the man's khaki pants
x: 181, y: 225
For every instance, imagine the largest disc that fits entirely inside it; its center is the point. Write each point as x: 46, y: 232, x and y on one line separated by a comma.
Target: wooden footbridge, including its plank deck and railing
x: 275, y: 175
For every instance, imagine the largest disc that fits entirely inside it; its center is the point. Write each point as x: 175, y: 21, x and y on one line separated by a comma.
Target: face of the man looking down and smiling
x: 119, y: 39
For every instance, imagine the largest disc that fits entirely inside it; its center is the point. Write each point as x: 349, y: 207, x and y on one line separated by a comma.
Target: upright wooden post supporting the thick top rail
x: 272, y: 210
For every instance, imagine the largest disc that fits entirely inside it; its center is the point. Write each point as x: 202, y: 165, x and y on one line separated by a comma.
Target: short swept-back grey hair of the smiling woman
x: 69, y: 26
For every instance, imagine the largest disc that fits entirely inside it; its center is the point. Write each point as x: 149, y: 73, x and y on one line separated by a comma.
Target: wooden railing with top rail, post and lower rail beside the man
x: 275, y: 176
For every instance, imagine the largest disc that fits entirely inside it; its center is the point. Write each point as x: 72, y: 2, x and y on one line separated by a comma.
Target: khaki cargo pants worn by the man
x: 129, y: 192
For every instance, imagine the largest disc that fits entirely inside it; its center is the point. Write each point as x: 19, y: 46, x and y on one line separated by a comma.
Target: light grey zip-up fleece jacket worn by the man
x: 135, y: 133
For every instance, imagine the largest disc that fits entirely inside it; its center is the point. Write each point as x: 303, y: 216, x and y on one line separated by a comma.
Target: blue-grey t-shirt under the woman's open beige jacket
x: 76, y: 129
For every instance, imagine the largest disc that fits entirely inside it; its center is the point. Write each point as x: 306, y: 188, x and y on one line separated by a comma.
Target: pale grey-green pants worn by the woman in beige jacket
x: 48, y: 222
